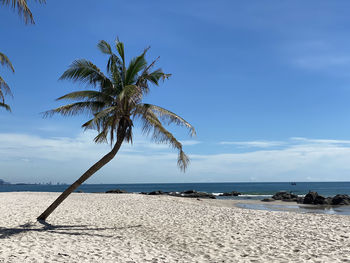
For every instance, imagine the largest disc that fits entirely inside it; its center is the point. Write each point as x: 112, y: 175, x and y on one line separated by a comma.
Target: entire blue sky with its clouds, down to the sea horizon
x: 265, y: 83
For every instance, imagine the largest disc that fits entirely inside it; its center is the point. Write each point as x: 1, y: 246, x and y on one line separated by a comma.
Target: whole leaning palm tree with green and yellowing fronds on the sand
x: 116, y: 105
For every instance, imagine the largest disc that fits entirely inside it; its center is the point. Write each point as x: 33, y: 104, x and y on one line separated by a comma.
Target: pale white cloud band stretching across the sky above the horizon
x: 31, y: 158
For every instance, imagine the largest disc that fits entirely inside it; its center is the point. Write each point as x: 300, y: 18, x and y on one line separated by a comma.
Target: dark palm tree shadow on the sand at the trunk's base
x: 75, y: 230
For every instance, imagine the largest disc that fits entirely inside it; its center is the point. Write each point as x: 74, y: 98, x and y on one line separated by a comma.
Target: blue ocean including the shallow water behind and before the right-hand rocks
x: 250, y: 191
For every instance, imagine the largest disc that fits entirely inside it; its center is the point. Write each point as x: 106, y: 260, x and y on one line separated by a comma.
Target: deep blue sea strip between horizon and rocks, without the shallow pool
x: 249, y: 190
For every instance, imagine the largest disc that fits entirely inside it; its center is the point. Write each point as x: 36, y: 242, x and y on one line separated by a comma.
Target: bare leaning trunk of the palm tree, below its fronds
x: 93, y: 169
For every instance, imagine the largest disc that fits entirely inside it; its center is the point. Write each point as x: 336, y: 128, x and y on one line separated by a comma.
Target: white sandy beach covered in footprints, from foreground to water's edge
x: 137, y: 228
